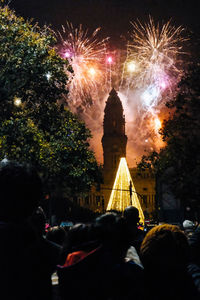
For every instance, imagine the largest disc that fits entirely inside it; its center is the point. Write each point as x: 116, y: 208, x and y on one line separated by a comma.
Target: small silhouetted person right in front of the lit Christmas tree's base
x: 136, y: 235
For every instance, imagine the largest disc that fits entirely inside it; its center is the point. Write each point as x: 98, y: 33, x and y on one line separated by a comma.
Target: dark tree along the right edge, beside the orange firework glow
x: 181, y: 132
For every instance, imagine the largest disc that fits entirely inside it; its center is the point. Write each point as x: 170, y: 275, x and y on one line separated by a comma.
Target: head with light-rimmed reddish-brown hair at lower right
x: 164, y: 248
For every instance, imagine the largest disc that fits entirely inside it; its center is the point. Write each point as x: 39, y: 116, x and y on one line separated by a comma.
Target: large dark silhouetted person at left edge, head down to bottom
x: 26, y: 259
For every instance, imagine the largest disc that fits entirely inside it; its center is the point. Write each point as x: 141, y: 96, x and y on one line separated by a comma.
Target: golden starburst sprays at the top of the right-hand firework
x: 155, y: 49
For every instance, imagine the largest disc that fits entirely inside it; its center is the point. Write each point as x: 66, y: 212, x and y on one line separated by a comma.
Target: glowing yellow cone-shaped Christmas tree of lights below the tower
x: 120, y: 195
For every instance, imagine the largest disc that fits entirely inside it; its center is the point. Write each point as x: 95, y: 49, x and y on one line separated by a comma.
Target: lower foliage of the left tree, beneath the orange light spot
x: 61, y: 154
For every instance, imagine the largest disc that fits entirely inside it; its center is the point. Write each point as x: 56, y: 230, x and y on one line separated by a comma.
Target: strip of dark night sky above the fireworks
x: 113, y: 16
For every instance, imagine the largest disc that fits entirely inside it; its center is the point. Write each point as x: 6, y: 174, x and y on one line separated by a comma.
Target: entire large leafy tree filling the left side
x: 37, y: 129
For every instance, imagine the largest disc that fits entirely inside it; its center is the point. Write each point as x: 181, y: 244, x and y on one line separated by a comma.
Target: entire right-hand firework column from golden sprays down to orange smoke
x: 151, y: 72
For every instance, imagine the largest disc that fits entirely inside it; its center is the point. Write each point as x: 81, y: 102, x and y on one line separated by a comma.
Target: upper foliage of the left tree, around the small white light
x: 30, y: 69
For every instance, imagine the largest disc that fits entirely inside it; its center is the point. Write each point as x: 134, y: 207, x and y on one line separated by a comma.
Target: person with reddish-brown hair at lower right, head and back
x: 165, y: 257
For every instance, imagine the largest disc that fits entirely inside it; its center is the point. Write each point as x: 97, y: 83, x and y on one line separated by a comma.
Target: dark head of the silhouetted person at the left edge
x: 20, y: 191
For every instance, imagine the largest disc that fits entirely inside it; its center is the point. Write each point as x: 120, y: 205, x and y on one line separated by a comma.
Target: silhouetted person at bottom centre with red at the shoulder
x: 102, y: 273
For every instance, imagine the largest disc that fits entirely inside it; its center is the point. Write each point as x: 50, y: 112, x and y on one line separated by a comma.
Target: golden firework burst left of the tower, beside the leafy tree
x: 86, y: 54
